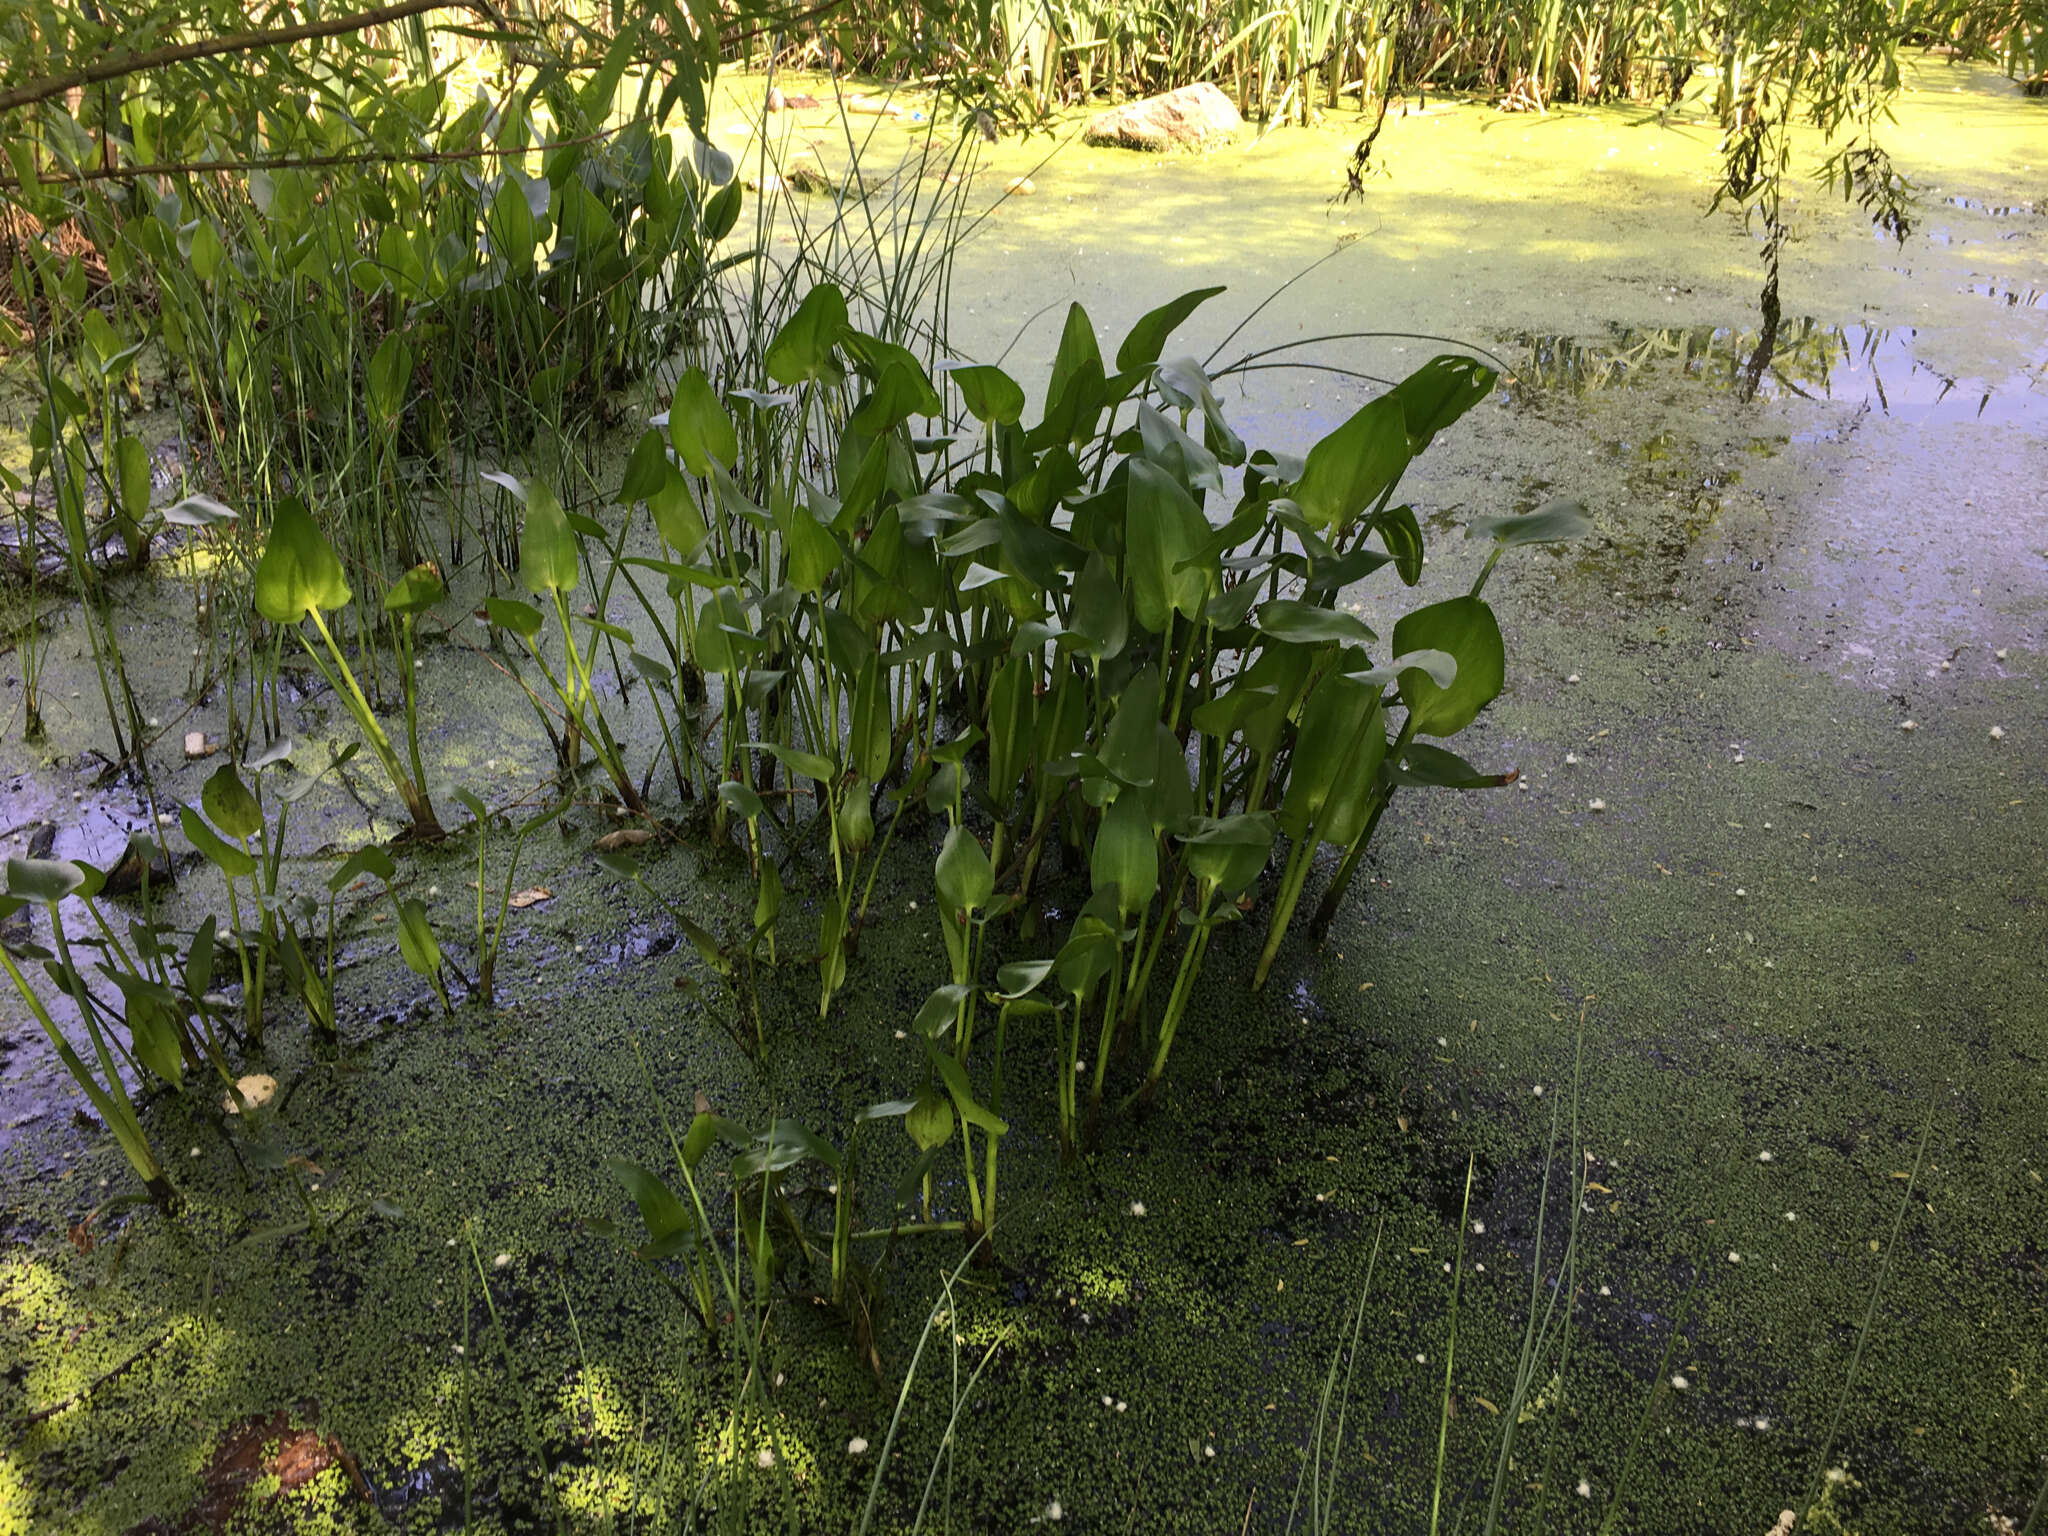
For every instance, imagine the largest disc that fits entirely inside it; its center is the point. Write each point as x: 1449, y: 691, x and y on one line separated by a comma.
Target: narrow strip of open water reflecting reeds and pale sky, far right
x: 1859, y: 366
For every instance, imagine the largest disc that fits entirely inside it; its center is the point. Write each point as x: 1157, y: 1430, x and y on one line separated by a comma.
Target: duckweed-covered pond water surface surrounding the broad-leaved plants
x: 1766, y: 845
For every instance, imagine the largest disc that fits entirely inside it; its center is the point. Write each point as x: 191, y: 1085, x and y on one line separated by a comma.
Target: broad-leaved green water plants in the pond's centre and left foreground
x: 1027, y: 634
